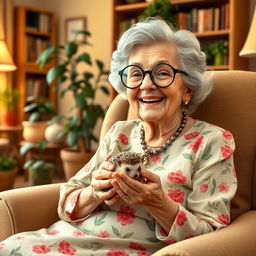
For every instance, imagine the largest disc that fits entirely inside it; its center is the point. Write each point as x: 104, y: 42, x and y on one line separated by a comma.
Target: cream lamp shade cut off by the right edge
x: 249, y: 49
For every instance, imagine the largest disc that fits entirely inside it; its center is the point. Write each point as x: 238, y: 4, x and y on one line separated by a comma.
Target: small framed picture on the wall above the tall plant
x: 76, y: 23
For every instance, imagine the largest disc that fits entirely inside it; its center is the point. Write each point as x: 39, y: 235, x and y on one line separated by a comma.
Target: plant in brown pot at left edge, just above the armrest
x: 8, y: 171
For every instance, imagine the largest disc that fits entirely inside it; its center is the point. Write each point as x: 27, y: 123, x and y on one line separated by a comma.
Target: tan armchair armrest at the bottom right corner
x: 239, y: 238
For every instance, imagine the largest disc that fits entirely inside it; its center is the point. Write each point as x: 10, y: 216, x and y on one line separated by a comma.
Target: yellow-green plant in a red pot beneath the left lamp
x: 9, y: 98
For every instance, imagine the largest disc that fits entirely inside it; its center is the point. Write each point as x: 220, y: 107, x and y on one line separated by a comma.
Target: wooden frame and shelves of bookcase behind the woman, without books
x: 234, y: 33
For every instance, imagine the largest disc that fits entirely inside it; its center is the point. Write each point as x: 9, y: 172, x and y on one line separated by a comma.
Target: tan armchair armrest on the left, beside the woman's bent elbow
x: 28, y: 209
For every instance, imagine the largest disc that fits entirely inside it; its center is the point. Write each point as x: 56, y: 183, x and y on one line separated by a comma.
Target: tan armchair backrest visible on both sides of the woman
x: 231, y: 105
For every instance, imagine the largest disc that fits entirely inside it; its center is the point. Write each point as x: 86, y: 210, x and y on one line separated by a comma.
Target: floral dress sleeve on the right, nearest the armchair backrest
x: 214, y: 184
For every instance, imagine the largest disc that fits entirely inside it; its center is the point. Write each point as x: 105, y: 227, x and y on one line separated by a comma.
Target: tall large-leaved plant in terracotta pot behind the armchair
x: 83, y: 86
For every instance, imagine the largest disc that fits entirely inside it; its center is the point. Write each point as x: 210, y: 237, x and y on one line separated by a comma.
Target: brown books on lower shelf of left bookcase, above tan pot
x: 36, y: 87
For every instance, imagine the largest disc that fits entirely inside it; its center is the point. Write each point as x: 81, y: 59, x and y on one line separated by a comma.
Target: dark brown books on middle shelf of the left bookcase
x: 34, y: 46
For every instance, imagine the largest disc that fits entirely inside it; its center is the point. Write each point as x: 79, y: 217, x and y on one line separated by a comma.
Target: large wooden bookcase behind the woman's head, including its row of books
x: 230, y: 28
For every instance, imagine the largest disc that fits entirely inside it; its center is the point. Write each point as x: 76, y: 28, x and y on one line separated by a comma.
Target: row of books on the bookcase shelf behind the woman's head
x: 209, y: 19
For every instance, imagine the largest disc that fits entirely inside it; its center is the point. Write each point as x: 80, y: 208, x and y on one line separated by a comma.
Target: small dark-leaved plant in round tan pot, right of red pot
x: 40, y: 112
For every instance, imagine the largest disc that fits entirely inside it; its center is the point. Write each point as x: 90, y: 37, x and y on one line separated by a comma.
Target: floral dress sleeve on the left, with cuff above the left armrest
x: 81, y: 180
